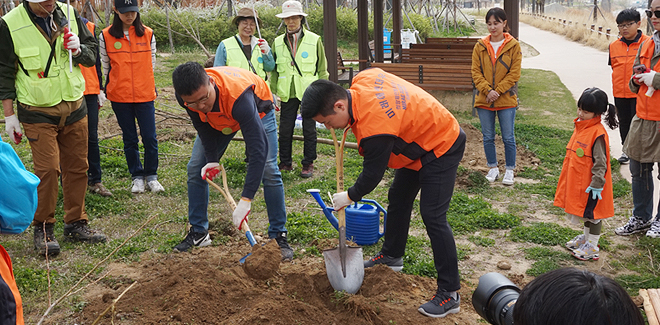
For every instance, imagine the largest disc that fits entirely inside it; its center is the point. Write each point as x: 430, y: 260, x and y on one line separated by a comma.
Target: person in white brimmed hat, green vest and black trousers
x: 299, y: 60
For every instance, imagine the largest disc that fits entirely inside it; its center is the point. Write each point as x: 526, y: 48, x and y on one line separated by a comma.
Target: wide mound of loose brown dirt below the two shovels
x: 208, y: 286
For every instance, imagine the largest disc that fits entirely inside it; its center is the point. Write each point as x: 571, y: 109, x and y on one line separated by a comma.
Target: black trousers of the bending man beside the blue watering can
x: 436, y: 181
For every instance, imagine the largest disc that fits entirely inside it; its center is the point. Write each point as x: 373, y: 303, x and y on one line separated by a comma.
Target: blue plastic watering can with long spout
x: 362, y: 220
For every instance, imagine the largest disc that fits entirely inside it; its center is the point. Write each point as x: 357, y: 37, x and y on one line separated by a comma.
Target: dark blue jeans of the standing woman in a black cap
x: 126, y: 114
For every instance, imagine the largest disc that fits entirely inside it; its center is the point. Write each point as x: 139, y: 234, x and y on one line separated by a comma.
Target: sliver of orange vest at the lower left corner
x: 13, y: 314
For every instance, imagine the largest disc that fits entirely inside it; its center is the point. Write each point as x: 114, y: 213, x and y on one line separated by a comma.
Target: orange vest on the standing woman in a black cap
x: 131, y: 76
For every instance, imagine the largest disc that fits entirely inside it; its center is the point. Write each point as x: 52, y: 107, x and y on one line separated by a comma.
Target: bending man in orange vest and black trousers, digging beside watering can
x: 399, y: 125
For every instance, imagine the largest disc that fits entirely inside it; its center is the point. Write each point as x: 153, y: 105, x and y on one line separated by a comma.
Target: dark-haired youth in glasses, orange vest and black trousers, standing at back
x: 622, y: 56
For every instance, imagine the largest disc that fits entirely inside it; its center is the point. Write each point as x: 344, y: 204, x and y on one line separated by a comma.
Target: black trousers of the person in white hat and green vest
x: 288, y: 114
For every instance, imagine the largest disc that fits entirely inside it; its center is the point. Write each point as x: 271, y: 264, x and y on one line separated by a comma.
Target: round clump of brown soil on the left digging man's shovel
x: 264, y: 261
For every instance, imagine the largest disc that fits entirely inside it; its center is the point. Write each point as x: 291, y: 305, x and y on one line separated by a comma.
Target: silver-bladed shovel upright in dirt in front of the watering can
x: 343, y: 264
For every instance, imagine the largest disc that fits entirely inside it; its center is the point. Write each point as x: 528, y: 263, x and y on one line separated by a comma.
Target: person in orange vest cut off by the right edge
x: 642, y: 144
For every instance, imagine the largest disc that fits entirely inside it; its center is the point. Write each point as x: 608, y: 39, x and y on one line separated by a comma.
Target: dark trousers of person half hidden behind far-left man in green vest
x: 93, y: 154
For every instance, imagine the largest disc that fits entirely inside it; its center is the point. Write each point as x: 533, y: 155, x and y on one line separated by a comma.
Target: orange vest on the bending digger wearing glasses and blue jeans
x: 232, y: 82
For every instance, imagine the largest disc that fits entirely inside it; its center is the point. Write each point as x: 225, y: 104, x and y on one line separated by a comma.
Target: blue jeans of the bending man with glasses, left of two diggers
x: 198, y: 189
